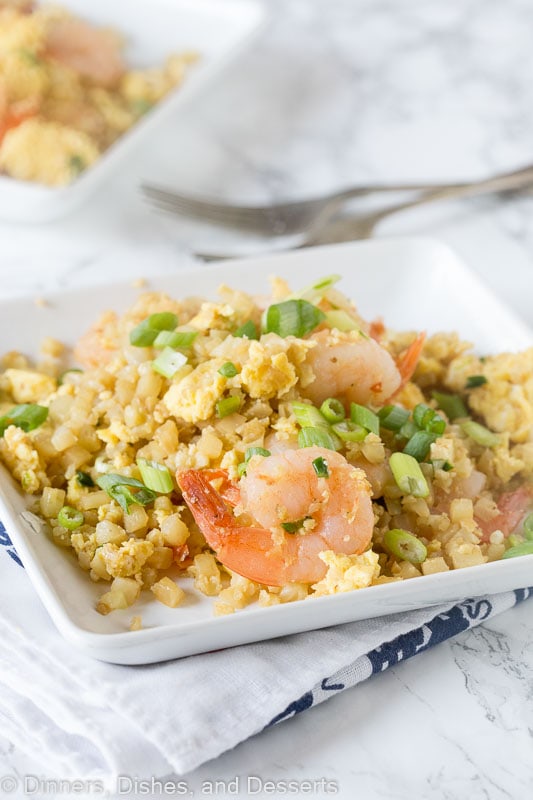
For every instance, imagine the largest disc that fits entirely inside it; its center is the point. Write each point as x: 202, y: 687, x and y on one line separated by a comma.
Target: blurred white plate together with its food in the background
x: 82, y: 85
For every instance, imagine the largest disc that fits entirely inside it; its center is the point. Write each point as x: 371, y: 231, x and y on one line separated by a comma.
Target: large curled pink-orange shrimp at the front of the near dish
x: 334, y: 513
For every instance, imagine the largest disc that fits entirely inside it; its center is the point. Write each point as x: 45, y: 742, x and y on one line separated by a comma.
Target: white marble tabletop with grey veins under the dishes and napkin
x: 339, y: 92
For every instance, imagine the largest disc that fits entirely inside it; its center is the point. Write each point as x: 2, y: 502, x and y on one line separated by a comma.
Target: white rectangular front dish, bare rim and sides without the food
x: 411, y: 283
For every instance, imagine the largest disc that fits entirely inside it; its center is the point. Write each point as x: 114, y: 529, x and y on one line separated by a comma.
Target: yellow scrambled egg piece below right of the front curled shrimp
x: 347, y: 572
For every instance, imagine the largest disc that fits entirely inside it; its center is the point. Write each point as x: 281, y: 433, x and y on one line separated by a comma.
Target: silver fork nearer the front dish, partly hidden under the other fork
x: 362, y: 226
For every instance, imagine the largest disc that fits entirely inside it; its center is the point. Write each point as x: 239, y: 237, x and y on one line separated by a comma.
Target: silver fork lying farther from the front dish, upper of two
x: 306, y: 217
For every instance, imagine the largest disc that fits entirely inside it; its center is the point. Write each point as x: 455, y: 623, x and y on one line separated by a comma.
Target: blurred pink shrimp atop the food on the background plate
x: 94, y: 54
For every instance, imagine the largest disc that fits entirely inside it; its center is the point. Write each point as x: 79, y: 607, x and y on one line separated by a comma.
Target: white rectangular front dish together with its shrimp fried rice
x: 193, y: 467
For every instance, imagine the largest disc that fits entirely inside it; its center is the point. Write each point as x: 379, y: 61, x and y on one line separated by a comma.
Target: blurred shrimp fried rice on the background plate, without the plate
x: 66, y: 92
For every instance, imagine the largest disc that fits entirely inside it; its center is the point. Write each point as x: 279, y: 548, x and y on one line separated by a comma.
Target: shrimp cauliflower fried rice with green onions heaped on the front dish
x: 180, y: 394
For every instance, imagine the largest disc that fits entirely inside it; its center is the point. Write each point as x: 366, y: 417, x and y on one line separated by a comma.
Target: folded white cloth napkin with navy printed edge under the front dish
x: 86, y: 719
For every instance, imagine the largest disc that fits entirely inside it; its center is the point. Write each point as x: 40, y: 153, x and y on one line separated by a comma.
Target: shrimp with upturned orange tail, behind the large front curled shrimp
x: 357, y: 370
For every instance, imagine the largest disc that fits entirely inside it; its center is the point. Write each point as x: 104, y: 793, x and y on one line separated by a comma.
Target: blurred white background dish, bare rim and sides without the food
x: 152, y: 31
